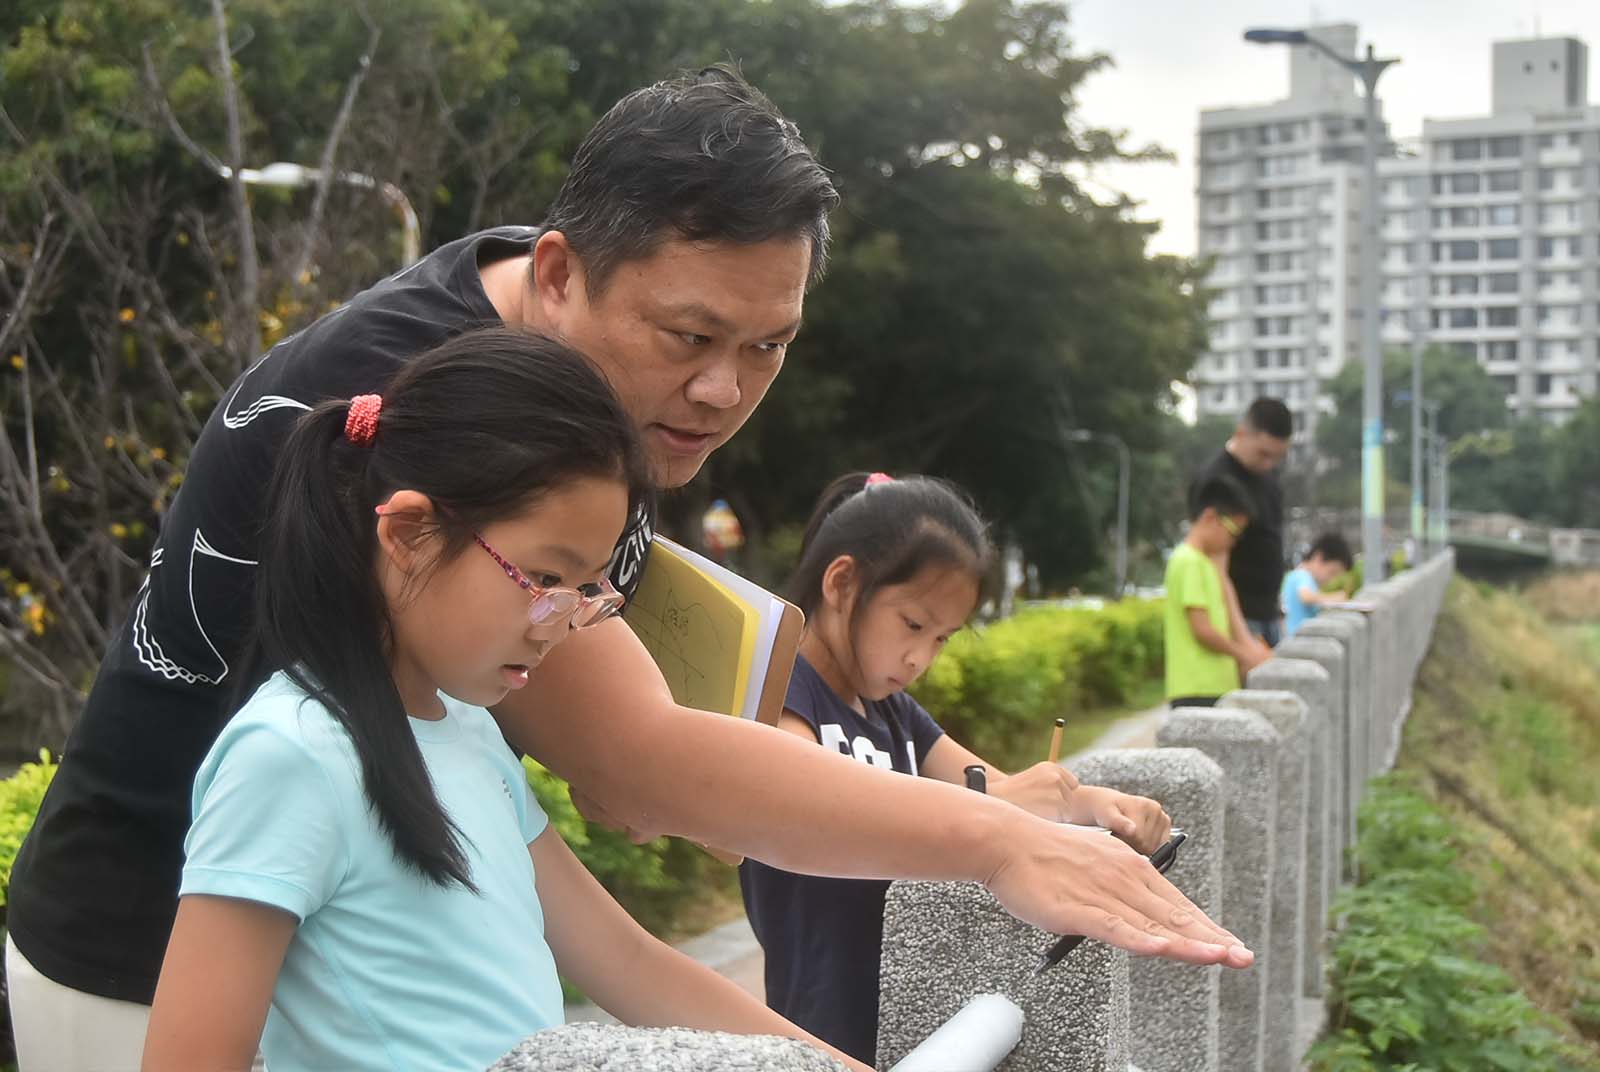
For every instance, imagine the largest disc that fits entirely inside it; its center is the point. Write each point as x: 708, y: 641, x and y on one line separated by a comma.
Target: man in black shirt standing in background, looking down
x: 1252, y: 457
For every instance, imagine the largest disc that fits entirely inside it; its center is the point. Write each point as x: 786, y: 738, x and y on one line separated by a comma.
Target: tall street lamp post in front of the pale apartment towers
x: 1369, y: 71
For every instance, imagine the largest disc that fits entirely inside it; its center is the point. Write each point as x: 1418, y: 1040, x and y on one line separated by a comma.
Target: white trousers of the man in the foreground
x: 60, y: 1030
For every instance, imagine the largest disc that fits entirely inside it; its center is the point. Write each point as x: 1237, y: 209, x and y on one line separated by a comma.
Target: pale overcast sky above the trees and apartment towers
x: 1178, y: 57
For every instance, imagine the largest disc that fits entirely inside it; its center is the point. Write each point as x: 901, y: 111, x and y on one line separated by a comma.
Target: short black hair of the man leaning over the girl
x: 703, y: 158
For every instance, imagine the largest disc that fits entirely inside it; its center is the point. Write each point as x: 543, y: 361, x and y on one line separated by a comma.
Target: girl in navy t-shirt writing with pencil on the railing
x: 889, y: 572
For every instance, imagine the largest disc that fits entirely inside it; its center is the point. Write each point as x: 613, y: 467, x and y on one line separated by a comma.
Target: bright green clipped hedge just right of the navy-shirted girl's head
x: 999, y: 682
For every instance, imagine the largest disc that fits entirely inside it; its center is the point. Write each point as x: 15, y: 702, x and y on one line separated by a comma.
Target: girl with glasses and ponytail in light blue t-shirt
x: 369, y: 881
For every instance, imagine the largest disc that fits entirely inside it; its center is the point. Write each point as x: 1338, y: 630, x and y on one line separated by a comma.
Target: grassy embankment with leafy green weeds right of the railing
x: 1474, y: 942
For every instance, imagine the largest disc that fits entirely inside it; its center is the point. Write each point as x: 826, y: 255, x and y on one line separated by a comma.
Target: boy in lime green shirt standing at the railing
x: 1204, y: 660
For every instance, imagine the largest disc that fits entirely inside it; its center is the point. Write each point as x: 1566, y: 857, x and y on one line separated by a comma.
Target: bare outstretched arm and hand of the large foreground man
x: 601, y: 716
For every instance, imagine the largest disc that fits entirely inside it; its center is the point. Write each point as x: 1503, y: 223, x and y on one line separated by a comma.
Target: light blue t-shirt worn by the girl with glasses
x: 386, y: 970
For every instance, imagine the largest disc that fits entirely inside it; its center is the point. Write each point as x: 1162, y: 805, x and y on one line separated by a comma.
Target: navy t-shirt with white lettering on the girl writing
x: 822, y: 935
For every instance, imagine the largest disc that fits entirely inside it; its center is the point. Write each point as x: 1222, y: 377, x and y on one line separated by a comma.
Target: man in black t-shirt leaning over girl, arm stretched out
x: 678, y: 257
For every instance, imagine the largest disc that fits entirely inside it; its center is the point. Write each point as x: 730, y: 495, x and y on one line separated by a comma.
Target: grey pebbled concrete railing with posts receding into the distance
x: 1266, y: 785
